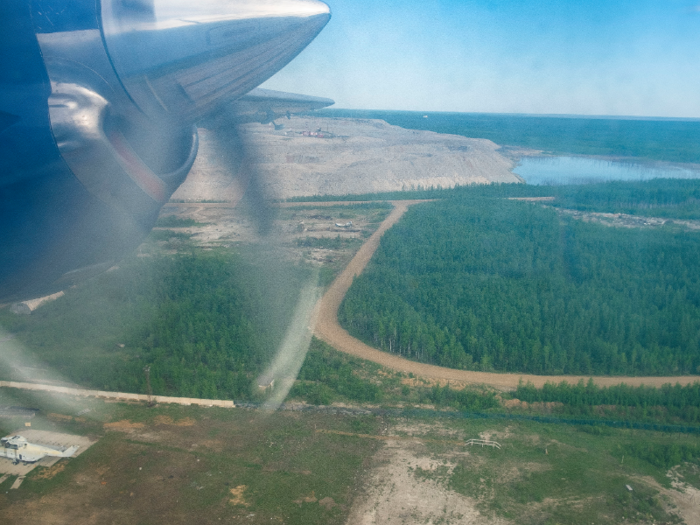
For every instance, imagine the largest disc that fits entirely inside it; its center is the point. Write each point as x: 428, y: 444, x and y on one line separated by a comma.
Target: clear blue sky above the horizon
x: 638, y: 58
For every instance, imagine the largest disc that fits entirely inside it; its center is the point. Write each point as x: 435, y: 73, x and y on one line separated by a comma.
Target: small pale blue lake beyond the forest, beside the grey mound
x: 583, y: 170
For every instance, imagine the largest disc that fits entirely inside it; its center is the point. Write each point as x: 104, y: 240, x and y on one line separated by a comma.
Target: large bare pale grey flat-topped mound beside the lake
x: 358, y: 156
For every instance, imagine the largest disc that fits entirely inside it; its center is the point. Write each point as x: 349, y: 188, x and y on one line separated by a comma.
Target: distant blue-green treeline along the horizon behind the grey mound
x: 672, y: 140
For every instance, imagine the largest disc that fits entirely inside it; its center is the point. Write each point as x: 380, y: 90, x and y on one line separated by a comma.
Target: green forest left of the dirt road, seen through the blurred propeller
x: 206, y: 323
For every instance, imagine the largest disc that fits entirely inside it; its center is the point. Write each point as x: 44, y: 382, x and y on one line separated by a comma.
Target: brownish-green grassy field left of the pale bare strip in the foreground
x: 192, y: 465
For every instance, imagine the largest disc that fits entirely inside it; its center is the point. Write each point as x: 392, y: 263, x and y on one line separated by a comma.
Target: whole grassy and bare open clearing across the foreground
x: 181, y: 465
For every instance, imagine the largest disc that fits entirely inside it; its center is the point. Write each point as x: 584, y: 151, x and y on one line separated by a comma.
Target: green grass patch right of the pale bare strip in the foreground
x: 558, y: 474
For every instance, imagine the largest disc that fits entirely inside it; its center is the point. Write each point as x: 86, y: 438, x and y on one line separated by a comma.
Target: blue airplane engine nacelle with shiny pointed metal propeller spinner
x: 98, y: 101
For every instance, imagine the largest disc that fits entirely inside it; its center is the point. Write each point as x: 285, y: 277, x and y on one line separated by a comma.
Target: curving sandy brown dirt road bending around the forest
x: 329, y: 330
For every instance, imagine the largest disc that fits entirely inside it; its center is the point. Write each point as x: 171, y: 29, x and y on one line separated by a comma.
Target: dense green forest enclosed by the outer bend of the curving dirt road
x: 484, y: 283
